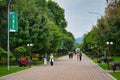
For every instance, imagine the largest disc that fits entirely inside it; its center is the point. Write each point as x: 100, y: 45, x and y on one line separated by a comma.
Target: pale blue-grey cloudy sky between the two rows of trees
x: 81, y: 15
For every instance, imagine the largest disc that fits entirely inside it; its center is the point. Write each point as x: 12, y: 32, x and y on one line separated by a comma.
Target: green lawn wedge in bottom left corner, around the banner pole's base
x: 4, y: 71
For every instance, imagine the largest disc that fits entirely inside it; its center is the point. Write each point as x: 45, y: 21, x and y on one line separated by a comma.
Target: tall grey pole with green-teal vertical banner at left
x: 12, y: 27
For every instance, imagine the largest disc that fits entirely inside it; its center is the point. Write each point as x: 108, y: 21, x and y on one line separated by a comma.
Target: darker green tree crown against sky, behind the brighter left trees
x: 58, y: 14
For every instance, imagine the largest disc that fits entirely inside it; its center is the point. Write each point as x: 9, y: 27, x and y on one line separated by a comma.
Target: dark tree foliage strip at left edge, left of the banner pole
x: 3, y: 25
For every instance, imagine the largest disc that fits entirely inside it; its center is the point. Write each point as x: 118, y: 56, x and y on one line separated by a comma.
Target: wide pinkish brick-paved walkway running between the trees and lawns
x: 63, y: 69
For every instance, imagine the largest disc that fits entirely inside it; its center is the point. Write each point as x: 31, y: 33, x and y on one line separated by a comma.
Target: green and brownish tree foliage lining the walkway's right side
x: 107, y: 29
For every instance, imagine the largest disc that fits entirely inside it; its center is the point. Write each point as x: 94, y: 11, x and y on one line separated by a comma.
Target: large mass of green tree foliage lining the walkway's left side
x: 40, y: 22
